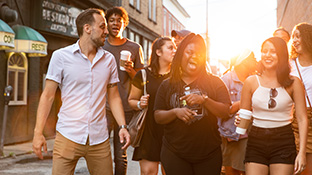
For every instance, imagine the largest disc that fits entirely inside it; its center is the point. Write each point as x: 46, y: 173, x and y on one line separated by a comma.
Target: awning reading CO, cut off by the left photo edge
x: 6, y: 36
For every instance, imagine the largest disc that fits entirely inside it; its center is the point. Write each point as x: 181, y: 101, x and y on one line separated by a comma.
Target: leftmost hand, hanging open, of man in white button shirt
x: 39, y: 142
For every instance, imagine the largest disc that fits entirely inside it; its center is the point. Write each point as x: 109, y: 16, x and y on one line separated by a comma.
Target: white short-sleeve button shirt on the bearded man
x: 83, y: 88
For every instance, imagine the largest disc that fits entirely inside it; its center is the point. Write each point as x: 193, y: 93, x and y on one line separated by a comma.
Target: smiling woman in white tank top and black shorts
x: 271, y: 95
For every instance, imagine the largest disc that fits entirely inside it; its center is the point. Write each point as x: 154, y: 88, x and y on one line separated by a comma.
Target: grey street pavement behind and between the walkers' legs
x: 19, y: 159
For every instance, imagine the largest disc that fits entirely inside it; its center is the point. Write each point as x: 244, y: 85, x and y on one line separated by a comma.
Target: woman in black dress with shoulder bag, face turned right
x: 148, y: 153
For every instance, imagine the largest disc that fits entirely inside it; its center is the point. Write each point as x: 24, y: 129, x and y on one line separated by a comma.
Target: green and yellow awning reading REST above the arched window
x: 29, y: 41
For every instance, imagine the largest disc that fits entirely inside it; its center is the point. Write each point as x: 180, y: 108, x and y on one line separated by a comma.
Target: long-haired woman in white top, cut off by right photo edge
x: 301, y: 61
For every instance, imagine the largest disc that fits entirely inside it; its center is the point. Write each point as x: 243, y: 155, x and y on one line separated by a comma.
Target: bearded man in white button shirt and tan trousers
x: 85, y: 73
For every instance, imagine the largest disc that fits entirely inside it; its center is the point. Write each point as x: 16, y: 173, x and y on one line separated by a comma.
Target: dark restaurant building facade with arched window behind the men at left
x: 54, y: 21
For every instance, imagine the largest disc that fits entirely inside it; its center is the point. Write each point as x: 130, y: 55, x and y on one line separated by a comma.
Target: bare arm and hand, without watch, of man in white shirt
x: 45, y: 103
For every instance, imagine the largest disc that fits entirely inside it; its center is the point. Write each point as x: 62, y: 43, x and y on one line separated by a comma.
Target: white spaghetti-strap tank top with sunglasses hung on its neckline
x: 278, y: 116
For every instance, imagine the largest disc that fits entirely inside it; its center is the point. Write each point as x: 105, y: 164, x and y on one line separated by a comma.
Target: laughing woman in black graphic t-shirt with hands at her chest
x: 187, y: 104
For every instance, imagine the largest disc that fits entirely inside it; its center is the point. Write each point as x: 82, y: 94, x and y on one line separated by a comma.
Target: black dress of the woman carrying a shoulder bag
x: 151, y: 142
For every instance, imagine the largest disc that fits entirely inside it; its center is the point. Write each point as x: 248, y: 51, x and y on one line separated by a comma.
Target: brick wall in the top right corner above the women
x: 295, y: 12
